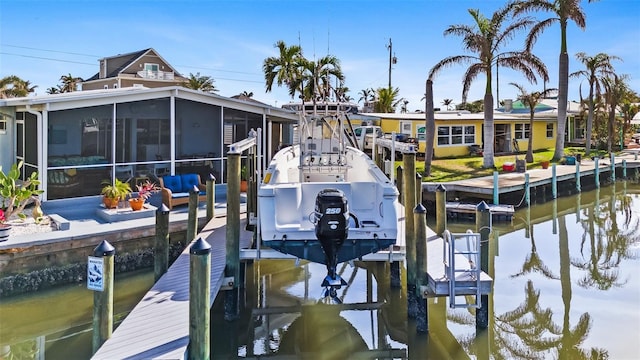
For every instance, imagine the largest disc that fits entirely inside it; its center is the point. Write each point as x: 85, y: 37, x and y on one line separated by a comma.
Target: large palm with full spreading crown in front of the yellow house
x: 485, y: 39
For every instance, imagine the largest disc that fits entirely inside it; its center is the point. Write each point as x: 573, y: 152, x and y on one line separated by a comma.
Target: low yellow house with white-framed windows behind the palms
x: 458, y: 132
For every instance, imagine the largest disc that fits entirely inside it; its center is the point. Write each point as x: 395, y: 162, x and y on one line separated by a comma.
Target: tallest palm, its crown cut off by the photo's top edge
x: 562, y: 11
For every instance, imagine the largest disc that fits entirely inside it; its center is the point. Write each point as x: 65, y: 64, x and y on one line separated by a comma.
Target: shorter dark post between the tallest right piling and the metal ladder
x: 420, y: 219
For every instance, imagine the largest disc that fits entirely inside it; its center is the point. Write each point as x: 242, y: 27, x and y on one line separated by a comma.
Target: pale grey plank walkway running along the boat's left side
x: 158, y: 327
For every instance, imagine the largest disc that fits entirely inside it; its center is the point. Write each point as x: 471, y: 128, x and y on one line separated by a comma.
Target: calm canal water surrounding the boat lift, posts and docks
x: 566, y: 286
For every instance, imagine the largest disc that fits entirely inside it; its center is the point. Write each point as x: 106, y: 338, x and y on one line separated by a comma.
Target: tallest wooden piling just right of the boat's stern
x: 410, y: 241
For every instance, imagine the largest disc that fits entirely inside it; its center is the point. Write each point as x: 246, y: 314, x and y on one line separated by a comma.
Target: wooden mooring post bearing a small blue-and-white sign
x: 103, y: 254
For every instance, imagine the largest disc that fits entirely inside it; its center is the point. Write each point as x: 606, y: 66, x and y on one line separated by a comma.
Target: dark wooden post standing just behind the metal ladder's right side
x: 483, y: 227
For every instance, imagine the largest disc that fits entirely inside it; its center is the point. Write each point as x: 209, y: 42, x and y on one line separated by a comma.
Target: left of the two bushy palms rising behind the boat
x: 283, y: 69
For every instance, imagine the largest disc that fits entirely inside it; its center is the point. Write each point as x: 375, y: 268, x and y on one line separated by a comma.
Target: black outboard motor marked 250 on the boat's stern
x: 332, y: 228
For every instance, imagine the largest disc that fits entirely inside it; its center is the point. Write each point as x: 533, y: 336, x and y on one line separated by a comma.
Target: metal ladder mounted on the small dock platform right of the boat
x: 468, y: 245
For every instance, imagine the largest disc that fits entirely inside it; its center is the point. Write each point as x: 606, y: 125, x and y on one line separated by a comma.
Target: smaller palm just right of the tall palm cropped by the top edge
x: 597, y: 67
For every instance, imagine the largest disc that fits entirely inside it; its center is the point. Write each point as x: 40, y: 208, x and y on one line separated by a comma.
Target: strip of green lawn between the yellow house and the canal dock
x: 444, y: 170
